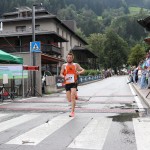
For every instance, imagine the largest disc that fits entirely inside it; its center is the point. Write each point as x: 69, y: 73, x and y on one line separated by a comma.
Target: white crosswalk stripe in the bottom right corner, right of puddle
x: 142, y: 133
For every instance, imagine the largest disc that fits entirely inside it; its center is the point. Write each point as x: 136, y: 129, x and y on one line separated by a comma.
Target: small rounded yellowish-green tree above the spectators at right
x: 137, y: 54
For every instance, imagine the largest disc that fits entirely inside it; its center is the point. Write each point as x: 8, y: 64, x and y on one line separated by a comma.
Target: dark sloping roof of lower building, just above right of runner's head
x: 84, y: 50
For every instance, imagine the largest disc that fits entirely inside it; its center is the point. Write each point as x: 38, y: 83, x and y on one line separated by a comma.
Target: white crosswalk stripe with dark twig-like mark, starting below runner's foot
x: 36, y: 135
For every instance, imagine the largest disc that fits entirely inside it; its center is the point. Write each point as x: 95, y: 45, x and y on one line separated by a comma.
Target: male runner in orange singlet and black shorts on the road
x: 70, y: 71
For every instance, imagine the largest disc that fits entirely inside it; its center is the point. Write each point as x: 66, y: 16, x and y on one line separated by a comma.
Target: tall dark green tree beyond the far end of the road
x: 115, y: 51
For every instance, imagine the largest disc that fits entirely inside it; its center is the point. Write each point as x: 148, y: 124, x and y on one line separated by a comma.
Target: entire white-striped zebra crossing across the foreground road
x: 90, y: 132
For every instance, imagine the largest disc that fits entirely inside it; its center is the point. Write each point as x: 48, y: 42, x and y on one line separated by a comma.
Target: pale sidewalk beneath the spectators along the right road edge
x: 143, y: 93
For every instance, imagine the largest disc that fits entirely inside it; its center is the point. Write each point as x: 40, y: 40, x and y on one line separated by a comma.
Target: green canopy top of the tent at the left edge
x: 6, y: 58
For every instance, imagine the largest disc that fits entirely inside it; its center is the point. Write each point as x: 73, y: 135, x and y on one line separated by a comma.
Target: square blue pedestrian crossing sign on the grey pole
x: 35, y: 47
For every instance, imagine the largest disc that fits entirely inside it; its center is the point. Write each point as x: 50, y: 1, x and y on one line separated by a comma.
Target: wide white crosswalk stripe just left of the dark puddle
x: 93, y: 135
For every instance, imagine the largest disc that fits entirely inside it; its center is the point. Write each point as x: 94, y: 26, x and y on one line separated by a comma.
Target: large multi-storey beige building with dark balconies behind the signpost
x: 56, y: 39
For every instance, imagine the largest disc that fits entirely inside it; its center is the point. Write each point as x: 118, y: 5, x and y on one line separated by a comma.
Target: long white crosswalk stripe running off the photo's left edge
x: 16, y: 121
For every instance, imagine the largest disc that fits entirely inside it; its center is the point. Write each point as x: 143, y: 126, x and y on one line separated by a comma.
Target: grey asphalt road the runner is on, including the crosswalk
x: 109, y: 116
